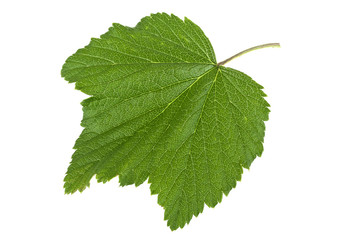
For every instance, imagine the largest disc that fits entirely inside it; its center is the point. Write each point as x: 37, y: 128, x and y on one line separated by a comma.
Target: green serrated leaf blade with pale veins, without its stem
x: 162, y: 108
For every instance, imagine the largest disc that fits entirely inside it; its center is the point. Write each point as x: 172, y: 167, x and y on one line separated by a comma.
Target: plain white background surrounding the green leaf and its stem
x: 291, y: 192
